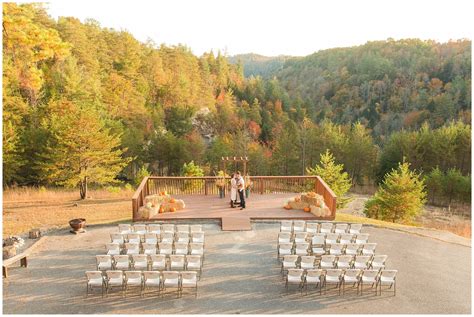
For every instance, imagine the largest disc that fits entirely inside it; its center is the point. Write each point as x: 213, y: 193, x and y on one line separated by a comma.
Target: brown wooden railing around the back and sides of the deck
x: 207, y: 186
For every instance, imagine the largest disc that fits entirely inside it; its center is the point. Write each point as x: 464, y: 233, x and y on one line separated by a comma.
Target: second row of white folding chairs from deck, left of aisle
x: 151, y: 237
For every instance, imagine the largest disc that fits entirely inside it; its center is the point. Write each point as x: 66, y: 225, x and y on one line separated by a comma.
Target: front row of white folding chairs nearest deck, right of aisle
x: 315, y: 227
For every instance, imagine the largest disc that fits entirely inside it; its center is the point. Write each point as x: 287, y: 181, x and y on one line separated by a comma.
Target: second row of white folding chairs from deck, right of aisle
x: 323, y: 238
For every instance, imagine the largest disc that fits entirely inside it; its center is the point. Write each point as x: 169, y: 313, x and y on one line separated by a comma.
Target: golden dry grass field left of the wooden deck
x: 25, y: 209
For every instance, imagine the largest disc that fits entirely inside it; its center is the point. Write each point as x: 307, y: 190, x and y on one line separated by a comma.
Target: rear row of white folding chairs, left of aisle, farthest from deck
x: 143, y: 280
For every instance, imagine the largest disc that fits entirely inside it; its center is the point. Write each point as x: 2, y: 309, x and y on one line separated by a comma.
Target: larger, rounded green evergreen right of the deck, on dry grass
x: 400, y: 197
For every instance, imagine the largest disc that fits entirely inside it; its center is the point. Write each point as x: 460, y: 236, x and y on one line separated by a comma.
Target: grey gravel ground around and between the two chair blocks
x: 241, y: 275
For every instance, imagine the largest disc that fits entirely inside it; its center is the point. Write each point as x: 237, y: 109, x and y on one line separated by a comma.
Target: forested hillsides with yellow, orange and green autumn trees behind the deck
x: 77, y: 96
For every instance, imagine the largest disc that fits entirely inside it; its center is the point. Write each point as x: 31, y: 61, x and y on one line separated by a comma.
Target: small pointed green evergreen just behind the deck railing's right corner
x: 334, y: 176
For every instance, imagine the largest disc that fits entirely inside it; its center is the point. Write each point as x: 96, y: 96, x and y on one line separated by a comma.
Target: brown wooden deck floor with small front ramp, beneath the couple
x: 259, y: 207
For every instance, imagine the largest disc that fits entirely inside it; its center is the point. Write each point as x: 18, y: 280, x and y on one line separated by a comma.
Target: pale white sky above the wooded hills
x: 296, y: 27
